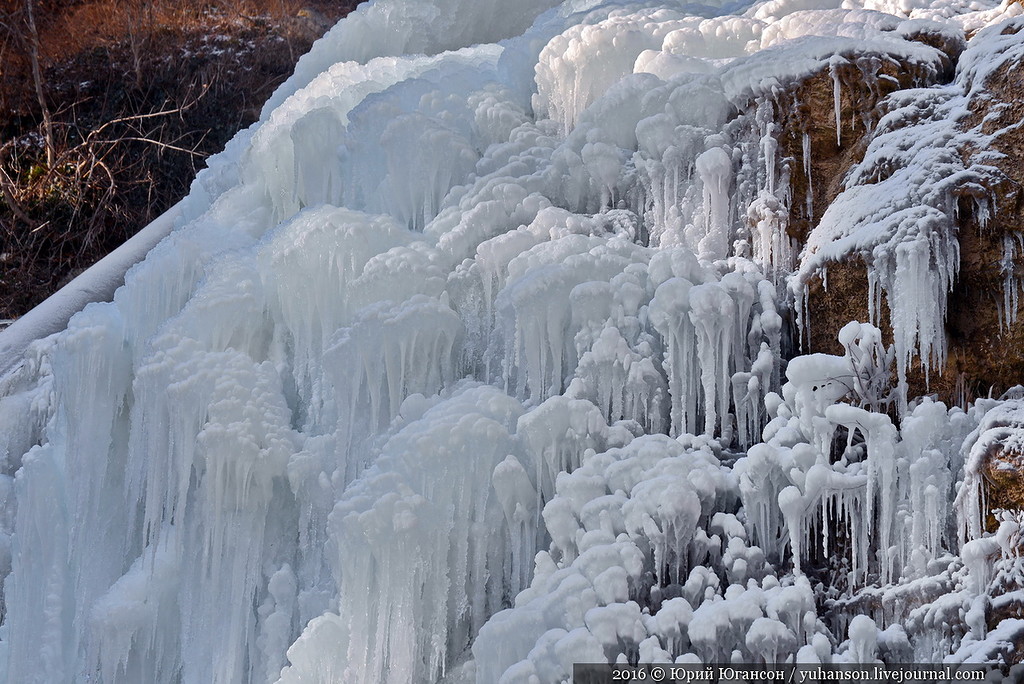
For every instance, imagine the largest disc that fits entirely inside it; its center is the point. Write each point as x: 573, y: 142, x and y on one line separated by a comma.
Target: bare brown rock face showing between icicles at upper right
x: 985, y: 333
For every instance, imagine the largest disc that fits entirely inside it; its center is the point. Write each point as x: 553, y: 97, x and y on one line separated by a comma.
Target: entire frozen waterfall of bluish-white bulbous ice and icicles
x: 479, y: 357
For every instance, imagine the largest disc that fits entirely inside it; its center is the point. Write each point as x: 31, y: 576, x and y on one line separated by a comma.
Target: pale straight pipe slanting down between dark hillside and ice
x: 96, y: 284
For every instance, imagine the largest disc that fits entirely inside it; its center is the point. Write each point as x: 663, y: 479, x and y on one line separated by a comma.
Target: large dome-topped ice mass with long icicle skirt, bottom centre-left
x: 421, y: 562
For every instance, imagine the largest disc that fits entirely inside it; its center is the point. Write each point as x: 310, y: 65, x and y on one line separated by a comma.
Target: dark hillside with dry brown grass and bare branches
x: 140, y: 95
